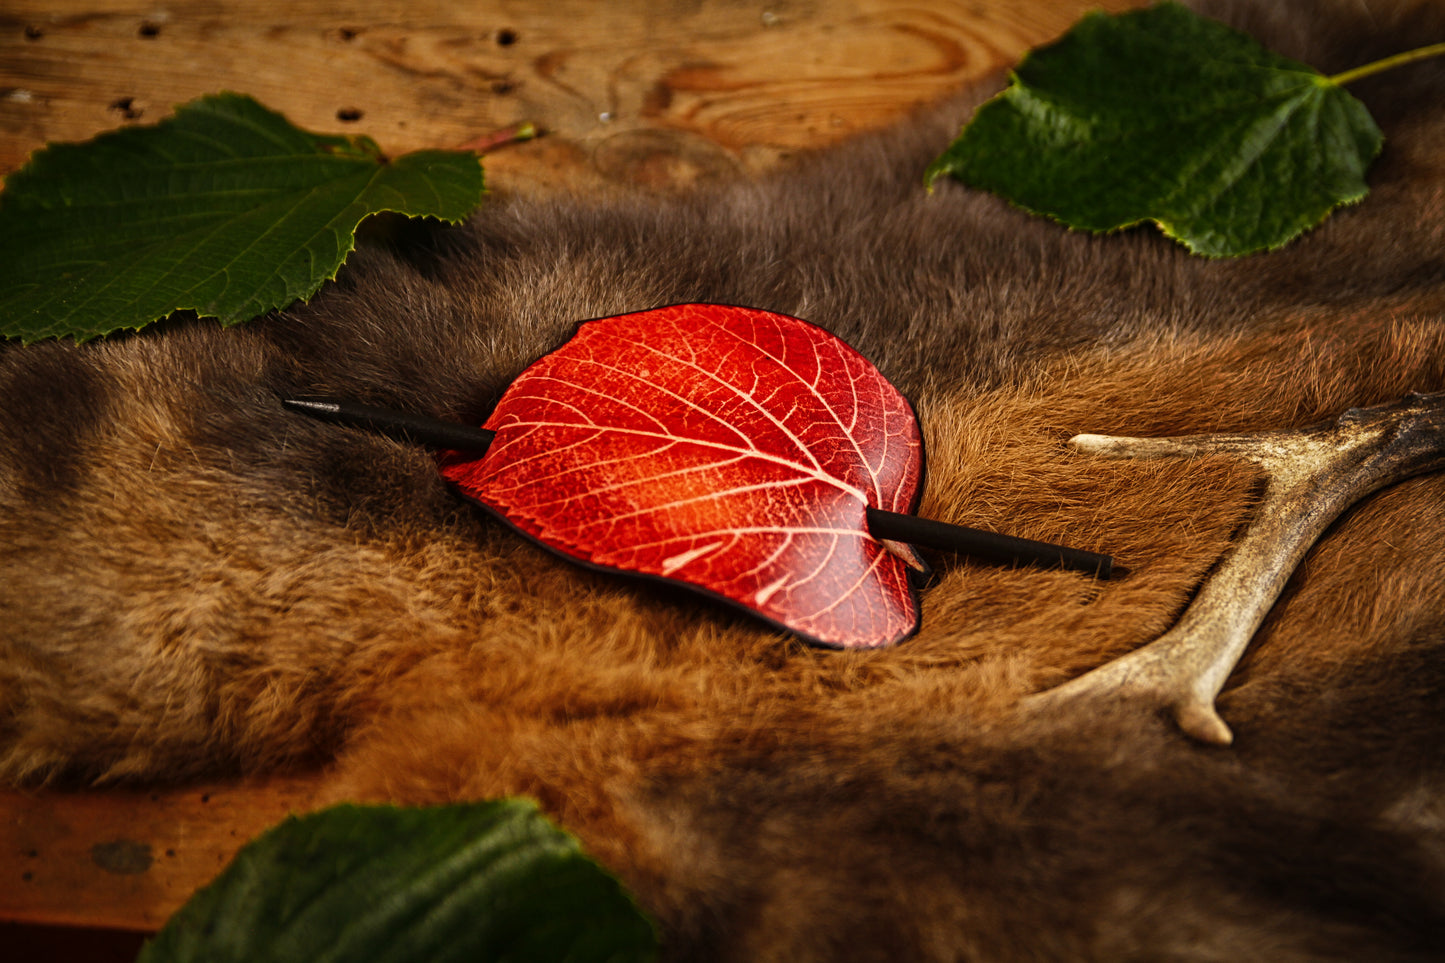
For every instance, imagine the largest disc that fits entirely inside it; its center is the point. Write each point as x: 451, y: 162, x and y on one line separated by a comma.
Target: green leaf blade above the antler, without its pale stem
x: 1164, y: 116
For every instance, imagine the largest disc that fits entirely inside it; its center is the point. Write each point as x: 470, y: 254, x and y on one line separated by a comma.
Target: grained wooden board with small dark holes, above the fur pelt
x: 728, y: 85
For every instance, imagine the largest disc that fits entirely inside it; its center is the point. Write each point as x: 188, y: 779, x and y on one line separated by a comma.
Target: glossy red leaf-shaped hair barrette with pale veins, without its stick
x: 726, y: 449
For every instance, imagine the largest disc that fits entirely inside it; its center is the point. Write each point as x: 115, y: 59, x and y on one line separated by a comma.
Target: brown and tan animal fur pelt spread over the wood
x: 194, y: 582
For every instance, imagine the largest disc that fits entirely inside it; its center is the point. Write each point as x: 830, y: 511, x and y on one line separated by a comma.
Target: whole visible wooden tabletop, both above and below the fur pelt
x: 660, y: 93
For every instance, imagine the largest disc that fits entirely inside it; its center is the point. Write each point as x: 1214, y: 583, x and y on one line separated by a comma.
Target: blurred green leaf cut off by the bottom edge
x: 478, y: 883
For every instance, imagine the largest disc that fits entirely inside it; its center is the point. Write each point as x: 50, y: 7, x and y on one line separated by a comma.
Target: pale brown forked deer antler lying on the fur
x: 1313, y: 476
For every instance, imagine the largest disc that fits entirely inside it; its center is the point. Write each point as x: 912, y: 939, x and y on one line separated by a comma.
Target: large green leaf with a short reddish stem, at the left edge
x: 225, y: 209
